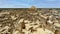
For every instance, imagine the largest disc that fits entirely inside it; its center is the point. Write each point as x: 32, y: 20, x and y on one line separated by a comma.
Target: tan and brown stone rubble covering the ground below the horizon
x: 25, y: 22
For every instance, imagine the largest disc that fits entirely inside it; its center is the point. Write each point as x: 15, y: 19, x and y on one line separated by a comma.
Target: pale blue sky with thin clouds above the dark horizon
x: 29, y: 3
